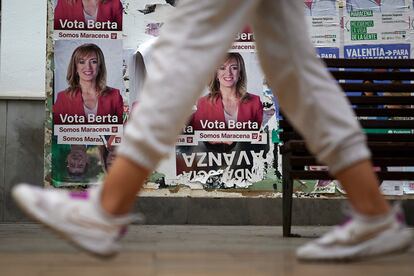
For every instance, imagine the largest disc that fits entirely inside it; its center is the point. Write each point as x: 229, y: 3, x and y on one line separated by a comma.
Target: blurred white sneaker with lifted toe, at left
x: 76, y: 216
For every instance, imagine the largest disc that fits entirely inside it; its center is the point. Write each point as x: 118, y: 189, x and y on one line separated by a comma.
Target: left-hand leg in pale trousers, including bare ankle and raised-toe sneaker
x: 191, y: 45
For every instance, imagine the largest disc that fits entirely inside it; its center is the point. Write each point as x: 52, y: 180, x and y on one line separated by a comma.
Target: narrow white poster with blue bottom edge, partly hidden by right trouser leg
x: 323, y: 22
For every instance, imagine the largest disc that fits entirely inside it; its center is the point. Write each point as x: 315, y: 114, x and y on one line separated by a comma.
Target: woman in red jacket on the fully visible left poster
x: 88, y: 95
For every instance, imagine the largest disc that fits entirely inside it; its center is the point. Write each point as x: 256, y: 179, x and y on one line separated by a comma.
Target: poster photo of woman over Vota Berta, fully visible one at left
x: 88, y: 82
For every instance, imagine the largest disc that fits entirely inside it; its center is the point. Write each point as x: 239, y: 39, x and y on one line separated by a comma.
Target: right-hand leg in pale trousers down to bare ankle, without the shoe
x: 314, y: 103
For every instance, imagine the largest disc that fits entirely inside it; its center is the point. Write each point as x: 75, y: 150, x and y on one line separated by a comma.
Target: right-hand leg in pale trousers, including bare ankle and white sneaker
x: 318, y: 109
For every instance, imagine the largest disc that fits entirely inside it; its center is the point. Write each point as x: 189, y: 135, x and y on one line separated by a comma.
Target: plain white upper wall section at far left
x: 23, y: 49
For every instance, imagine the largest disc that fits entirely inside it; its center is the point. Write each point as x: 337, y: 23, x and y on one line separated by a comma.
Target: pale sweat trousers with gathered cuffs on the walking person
x: 192, y: 45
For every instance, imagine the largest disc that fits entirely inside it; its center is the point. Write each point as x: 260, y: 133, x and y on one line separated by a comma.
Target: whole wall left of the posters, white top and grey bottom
x: 22, y: 94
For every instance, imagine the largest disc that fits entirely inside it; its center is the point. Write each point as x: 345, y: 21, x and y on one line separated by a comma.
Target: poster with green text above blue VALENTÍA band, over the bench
x: 377, y: 29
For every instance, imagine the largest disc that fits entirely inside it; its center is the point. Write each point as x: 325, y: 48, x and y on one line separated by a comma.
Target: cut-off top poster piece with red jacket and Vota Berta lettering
x: 88, y: 14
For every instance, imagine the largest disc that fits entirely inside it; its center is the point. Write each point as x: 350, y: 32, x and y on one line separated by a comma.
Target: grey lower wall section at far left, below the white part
x: 21, y: 150
